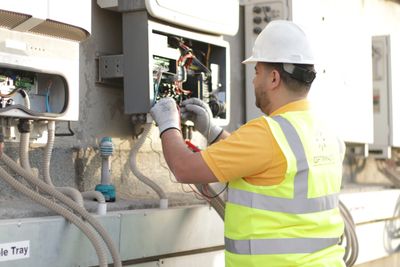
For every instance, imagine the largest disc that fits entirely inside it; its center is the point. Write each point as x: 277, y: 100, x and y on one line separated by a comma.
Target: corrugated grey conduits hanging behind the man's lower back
x: 352, y: 247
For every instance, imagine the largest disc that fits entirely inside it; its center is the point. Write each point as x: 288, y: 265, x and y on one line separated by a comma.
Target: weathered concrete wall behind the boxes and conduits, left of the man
x: 76, y: 161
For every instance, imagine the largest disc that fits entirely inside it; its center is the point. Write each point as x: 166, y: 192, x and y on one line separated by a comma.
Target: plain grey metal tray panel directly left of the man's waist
x: 155, y: 232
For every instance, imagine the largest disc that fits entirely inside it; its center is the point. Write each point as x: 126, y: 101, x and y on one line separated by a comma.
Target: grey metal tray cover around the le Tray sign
x: 54, y: 241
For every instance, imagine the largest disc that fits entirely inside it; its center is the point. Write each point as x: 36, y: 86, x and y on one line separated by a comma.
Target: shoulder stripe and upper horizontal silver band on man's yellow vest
x: 299, y: 204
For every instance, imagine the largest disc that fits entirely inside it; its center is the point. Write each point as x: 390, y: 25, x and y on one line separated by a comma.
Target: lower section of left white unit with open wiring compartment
x: 38, y: 77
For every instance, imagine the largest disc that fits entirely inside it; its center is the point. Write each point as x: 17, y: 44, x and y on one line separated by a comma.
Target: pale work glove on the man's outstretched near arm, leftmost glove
x: 166, y: 114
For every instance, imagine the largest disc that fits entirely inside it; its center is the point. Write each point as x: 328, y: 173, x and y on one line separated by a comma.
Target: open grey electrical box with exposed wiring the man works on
x: 157, y: 64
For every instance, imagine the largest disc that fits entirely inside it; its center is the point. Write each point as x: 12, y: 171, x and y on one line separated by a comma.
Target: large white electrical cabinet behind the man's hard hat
x: 342, y: 90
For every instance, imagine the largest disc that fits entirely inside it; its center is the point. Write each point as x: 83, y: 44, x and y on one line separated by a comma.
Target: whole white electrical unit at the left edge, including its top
x: 39, y: 58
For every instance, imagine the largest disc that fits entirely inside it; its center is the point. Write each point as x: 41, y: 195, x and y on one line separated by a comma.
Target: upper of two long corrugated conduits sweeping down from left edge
x: 67, y: 201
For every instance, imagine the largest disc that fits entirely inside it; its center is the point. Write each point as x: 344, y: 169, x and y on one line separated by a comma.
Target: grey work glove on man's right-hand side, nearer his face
x: 200, y: 114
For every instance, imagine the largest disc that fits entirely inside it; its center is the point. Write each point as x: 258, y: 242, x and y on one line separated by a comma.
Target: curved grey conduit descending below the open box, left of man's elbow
x: 132, y: 159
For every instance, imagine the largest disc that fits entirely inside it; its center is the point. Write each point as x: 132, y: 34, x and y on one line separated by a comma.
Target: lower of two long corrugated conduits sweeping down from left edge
x: 92, y: 236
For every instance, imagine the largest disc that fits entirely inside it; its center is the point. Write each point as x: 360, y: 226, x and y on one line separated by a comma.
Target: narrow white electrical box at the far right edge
x: 386, y: 53
